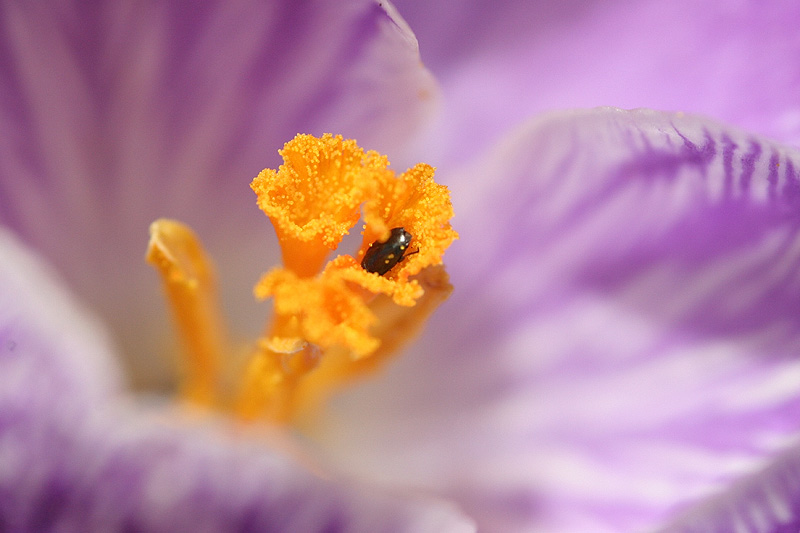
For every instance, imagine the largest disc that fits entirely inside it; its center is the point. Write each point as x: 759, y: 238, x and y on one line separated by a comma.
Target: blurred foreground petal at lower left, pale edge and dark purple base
x: 75, y: 457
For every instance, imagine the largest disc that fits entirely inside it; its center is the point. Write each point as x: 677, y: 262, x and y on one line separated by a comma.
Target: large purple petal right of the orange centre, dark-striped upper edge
x: 622, y: 342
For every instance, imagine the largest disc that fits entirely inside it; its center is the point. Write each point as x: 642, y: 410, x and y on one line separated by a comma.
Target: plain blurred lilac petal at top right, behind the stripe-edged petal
x: 500, y: 63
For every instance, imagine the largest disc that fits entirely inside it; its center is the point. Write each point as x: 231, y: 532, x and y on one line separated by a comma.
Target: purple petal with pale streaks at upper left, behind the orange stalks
x: 114, y: 114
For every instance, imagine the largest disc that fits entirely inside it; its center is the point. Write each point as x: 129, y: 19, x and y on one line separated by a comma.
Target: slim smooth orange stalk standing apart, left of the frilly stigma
x: 188, y: 280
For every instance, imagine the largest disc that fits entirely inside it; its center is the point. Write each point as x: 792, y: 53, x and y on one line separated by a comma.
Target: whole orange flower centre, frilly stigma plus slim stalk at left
x: 333, y: 322
